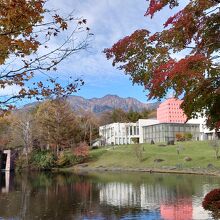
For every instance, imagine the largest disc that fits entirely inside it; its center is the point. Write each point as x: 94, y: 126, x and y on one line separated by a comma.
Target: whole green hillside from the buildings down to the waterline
x: 156, y: 158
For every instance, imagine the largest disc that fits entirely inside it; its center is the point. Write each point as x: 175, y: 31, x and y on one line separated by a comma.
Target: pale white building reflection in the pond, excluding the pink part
x: 143, y: 196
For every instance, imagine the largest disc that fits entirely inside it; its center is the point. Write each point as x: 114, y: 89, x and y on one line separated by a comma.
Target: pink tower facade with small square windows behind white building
x: 170, y: 112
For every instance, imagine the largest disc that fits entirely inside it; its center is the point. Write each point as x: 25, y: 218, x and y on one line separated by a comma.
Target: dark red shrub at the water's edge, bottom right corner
x: 212, y: 200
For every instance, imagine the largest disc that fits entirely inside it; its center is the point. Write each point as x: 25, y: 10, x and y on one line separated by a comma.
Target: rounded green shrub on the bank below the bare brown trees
x: 42, y: 160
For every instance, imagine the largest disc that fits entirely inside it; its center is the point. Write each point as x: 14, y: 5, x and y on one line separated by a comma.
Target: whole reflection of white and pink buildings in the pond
x: 152, y: 197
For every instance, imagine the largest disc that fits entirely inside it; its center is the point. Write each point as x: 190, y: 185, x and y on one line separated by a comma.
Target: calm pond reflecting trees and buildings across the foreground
x: 65, y: 196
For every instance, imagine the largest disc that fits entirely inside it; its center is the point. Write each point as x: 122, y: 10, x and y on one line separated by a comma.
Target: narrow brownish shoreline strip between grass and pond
x: 191, y: 171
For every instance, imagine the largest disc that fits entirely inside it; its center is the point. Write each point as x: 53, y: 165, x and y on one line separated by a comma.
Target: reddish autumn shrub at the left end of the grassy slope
x: 81, y: 152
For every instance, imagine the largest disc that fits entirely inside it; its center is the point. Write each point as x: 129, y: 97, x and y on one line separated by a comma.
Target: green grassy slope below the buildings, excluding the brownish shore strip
x: 124, y: 156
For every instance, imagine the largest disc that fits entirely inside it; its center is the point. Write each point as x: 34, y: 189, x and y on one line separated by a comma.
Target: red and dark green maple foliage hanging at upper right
x: 149, y: 58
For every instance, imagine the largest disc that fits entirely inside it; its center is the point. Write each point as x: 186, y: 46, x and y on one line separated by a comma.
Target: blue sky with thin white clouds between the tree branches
x: 109, y: 21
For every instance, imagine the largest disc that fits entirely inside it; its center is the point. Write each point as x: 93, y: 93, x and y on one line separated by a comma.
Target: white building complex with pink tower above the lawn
x: 161, y: 130
